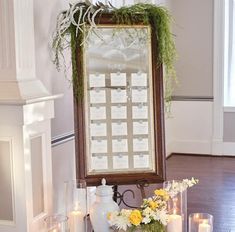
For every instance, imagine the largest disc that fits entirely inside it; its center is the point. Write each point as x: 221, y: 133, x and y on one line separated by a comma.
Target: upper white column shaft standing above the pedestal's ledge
x: 17, y: 53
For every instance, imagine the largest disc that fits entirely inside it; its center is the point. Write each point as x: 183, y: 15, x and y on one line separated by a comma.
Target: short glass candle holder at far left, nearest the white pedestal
x: 56, y: 223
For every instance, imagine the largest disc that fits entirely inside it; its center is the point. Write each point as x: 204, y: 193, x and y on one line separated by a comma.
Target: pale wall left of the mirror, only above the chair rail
x: 45, y: 13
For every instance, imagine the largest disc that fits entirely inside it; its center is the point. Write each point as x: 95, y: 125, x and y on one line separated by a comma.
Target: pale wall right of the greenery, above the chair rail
x: 193, y: 30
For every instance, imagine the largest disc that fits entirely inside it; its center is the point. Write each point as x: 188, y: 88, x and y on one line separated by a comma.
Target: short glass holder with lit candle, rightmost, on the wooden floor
x: 200, y: 222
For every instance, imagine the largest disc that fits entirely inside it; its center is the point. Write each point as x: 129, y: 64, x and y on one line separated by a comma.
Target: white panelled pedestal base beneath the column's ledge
x: 25, y: 165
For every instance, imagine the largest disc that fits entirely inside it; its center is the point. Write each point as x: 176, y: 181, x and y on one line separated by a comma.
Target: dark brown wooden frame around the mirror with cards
x: 158, y: 120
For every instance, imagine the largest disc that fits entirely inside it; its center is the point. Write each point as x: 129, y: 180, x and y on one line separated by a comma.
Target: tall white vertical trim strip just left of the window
x: 218, y: 77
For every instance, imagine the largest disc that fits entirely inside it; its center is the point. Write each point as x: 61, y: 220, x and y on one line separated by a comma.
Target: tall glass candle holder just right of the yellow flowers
x: 176, y: 206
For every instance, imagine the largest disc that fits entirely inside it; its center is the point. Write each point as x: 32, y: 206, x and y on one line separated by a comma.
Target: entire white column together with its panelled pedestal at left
x: 26, y: 108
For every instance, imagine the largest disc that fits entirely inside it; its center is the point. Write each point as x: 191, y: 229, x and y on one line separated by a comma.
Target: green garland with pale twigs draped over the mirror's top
x: 71, y: 22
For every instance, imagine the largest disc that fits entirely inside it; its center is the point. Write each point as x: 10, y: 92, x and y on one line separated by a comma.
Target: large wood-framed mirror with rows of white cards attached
x: 119, y: 121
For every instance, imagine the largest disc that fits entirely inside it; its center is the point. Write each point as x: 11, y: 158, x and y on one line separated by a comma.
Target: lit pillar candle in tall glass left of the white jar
x: 76, y: 221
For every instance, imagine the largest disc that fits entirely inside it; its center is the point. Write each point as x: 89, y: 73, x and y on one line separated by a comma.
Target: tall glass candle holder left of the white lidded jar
x: 76, y: 205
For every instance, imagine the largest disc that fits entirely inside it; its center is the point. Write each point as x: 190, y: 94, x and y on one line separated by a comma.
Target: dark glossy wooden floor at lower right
x: 215, y: 193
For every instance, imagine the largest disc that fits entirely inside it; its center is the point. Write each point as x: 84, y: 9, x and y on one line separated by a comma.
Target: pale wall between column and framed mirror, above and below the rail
x: 45, y: 13
